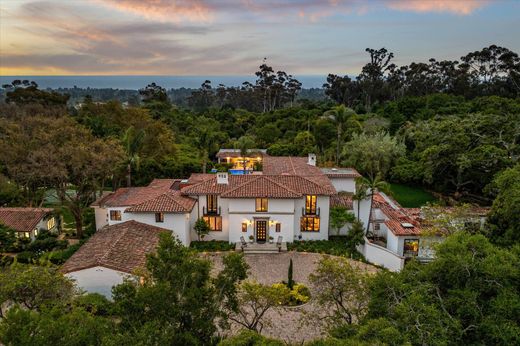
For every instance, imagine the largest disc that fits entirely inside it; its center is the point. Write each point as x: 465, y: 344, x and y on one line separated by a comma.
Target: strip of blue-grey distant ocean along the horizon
x: 137, y: 82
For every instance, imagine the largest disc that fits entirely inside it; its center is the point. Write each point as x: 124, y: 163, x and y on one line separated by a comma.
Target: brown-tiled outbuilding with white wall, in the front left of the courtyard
x: 112, y: 254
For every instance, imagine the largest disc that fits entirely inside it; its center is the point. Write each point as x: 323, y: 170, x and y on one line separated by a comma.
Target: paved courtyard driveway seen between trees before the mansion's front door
x: 289, y: 324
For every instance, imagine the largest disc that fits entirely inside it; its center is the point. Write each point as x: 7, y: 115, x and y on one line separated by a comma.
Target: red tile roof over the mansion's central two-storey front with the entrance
x: 248, y: 186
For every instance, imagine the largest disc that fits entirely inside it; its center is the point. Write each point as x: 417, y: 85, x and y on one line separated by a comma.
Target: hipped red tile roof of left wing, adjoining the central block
x: 168, y: 202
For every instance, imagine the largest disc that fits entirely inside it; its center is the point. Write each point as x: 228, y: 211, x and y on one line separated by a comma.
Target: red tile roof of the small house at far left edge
x: 23, y: 219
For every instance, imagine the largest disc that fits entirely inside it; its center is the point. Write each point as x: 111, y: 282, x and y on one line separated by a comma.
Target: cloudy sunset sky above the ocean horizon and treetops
x: 225, y: 37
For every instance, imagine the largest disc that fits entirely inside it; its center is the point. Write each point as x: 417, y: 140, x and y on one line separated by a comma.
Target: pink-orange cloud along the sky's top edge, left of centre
x: 164, y: 10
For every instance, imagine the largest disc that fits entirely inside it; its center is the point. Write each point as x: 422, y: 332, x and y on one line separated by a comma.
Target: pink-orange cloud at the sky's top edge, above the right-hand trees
x: 461, y: 7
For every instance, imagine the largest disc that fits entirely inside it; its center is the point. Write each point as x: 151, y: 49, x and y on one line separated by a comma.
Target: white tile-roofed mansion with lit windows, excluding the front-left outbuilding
x: 290, y: 198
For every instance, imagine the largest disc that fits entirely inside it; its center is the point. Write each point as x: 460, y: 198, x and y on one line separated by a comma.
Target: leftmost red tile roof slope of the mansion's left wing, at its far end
x: 129, y: 196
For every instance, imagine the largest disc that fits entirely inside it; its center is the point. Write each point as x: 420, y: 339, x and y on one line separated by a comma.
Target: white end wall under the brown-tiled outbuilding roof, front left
x: 98, y: 279
